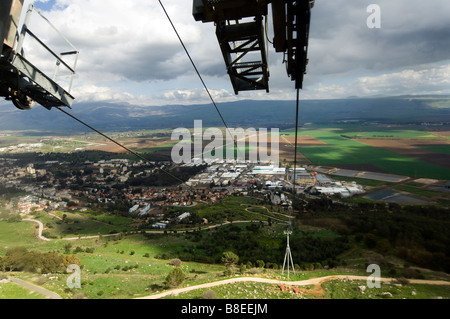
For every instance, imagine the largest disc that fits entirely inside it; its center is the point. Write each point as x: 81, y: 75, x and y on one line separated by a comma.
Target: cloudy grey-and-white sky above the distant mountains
x: 129, y: 52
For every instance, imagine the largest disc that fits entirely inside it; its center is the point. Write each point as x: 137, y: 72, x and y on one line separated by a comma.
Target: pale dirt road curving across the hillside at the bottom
x: 313, y: 281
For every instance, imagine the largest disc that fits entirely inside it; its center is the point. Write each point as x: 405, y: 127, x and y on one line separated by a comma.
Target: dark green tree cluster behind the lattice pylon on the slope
x: 254, y: 246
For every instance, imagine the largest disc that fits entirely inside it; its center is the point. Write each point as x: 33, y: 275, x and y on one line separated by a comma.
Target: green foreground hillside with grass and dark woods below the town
x: 328, y: 240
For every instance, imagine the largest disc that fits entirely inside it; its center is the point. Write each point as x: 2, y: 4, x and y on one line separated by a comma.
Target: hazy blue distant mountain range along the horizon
x: 246, y: 113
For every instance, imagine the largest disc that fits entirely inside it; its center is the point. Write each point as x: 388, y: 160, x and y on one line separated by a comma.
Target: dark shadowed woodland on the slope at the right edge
x: 414, y: 233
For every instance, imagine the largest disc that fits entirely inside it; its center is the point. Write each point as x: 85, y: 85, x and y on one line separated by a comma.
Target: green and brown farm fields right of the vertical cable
x: 407, y: 151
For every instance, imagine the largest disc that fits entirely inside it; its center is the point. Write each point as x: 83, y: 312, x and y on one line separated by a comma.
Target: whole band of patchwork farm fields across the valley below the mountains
x: 414, y: 151
